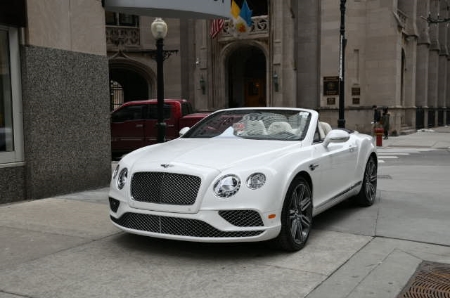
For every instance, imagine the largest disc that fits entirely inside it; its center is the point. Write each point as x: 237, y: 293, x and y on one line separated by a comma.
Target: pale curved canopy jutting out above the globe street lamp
x: 190, y: 9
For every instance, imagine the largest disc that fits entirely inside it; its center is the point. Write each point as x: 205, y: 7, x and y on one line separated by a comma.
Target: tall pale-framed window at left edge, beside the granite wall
x: 10, y: 97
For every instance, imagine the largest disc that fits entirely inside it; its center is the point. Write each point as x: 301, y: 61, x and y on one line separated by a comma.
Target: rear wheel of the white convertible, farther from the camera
x: 367, y: 195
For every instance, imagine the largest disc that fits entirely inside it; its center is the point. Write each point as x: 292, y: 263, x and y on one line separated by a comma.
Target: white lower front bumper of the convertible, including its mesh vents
x: 241, y: 225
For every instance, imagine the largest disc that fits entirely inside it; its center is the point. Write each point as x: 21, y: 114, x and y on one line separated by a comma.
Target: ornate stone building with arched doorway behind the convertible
x: 394, y: 58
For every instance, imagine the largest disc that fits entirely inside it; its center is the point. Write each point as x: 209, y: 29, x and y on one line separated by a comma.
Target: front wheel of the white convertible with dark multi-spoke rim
x: 296, y: 216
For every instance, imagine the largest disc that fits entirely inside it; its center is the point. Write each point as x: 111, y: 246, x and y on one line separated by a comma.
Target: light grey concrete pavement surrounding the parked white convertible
x: 66, y: 247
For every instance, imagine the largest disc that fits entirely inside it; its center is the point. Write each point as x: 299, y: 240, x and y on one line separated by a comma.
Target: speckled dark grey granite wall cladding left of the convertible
x: 66, y: 121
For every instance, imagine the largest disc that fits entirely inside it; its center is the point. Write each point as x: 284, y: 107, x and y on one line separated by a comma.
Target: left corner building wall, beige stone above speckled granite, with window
x: 54, y: 103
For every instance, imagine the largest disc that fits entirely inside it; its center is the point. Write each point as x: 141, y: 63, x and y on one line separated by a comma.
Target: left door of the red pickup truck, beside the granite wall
x: 127, y: 128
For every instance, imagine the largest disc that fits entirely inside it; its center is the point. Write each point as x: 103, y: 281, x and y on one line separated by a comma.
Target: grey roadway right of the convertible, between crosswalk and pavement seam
x: 413, y: 199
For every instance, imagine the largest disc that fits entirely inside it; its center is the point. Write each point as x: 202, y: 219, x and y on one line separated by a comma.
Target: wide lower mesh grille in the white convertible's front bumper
x: 176, y: 226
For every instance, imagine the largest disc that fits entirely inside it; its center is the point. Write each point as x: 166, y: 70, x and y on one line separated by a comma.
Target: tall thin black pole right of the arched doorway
x: 342, y: 44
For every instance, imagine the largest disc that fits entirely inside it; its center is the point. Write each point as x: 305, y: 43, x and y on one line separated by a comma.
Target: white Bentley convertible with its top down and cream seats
x: 241, y: 175
